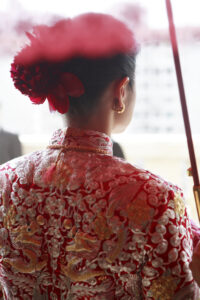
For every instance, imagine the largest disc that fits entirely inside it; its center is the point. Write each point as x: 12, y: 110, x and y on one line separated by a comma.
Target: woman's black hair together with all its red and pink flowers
x: 92, y: 50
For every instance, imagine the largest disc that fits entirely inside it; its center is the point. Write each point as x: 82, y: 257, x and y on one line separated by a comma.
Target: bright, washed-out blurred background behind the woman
x: 155, y: 139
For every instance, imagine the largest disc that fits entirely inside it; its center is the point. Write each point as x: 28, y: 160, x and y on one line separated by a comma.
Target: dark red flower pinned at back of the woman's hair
x: 41, y: 81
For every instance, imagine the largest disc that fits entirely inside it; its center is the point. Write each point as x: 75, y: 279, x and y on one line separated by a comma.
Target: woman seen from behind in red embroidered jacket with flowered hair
x: 76, y: 222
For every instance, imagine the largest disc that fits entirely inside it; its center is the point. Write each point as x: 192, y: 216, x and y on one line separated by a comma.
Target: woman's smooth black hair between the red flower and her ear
x: 96, y: 75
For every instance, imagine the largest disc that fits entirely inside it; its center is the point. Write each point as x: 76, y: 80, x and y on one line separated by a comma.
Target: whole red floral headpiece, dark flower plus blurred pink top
x: 36, y: 70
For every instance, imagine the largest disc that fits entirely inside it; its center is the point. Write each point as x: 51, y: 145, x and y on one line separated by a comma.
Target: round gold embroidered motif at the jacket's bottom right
x: 163, y: 288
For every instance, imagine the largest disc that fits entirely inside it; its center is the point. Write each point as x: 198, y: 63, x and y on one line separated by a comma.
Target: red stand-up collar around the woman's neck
x: 75, y: 137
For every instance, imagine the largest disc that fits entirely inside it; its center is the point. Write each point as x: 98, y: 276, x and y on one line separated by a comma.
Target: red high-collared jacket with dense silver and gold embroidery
x: 100, y: 229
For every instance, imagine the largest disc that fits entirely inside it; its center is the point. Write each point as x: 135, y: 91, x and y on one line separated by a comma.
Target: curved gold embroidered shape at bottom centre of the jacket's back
x: 71, y: 271
